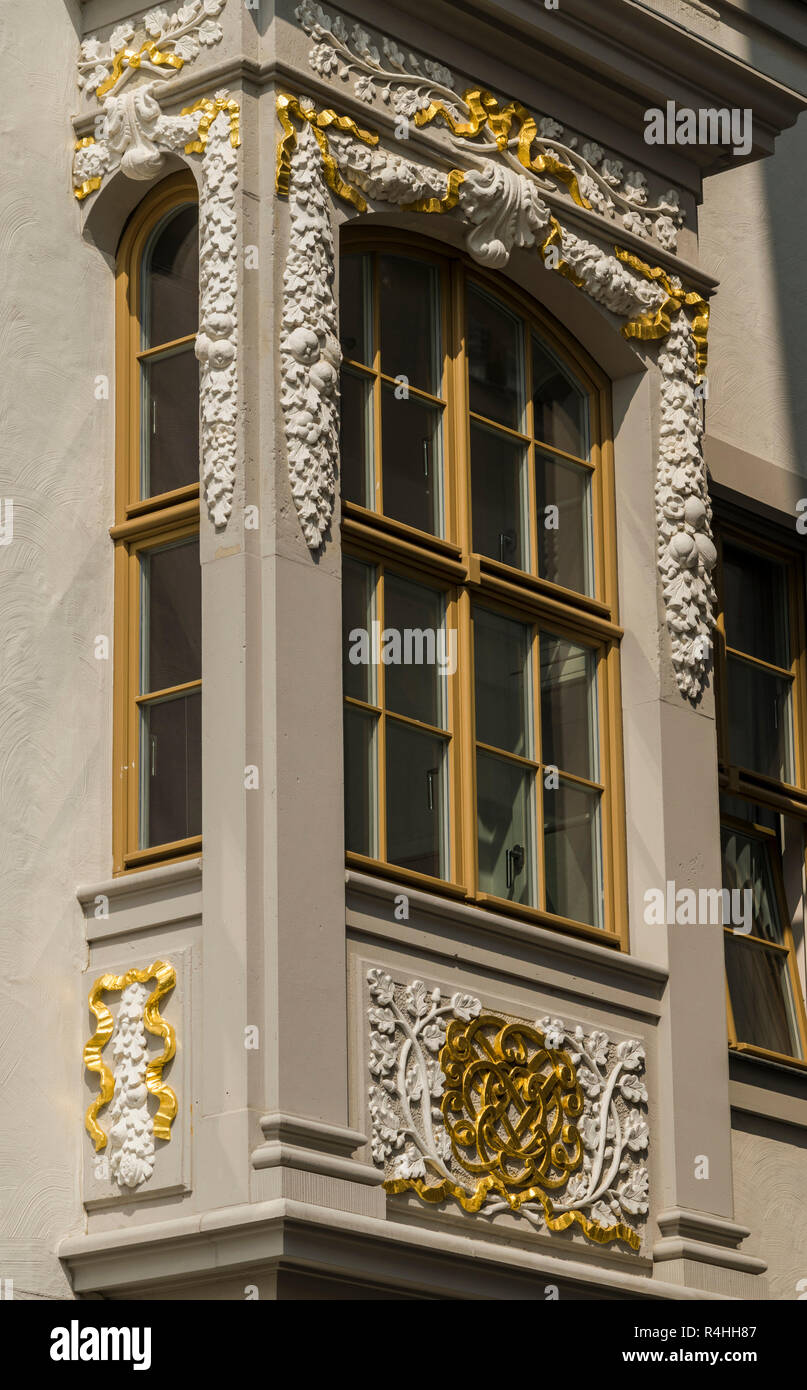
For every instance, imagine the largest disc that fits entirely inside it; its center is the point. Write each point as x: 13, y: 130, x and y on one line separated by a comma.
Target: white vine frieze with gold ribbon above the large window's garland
x: 426, y: 92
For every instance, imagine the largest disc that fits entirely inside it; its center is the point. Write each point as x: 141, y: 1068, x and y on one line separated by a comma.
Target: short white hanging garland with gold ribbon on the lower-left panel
x: 134, y: 1129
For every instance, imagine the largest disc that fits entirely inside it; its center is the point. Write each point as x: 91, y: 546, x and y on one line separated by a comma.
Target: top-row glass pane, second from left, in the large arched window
x: 410, y: 322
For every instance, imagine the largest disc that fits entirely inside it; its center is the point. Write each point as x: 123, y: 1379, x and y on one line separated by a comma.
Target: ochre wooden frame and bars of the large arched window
x: 469, y: 578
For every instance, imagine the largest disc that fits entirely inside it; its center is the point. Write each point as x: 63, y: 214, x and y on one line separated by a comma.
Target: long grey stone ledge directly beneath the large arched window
x: 495, y: 924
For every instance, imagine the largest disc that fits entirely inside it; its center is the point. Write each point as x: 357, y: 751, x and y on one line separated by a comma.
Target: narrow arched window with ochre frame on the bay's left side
x: 158, y: 735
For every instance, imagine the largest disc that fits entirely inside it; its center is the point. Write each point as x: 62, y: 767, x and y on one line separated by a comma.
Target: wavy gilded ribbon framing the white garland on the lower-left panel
x: 166, y: 978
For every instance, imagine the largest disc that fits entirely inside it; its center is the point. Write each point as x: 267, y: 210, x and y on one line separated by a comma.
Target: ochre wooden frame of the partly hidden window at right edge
x: 779, y: 797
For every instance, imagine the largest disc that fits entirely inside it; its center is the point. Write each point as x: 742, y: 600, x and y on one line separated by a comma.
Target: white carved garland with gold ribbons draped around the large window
x: 502, y: 209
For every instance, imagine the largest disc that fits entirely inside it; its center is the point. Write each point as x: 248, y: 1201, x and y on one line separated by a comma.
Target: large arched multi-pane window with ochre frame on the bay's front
x: 481, y: 648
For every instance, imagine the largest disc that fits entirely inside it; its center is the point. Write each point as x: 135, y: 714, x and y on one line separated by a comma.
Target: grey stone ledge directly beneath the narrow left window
x: 142, y: 901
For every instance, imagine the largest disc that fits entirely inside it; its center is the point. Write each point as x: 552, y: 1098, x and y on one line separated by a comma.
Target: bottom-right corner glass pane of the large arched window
x: 574, y: 876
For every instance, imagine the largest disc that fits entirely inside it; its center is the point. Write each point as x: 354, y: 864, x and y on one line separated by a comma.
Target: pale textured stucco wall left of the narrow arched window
x: 56, y: 464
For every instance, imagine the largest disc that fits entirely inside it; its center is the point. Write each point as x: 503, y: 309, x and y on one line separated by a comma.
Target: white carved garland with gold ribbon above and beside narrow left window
x: 134, y: 136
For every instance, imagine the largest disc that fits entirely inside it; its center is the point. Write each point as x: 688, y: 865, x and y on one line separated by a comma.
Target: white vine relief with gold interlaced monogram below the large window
x: 542, y: 1121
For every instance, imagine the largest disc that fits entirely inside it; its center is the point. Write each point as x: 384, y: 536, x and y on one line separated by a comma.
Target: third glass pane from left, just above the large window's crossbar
x: 499, y: 497
